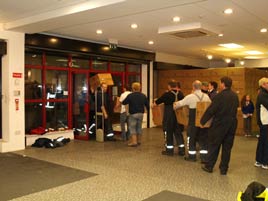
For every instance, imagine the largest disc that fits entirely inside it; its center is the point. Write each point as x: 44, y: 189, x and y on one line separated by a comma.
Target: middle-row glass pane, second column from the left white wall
x: 56, y: 84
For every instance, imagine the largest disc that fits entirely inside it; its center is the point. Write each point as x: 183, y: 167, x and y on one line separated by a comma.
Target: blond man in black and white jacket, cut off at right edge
x: 262, y: 120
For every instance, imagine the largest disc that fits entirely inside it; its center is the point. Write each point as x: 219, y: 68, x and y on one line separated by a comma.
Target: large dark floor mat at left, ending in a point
x: 24, y: 175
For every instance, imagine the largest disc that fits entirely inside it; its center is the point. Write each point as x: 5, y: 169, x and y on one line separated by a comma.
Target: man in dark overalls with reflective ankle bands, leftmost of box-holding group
x: 169, y: 120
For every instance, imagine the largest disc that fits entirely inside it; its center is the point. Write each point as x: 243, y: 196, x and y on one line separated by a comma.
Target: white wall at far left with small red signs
x: 12, y: 120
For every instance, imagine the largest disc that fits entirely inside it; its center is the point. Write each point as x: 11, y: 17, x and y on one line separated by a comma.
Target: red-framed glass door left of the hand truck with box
x: 80, y: 101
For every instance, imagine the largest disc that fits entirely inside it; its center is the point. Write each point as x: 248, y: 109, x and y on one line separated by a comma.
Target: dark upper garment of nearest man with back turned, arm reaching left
x: 223, y: 107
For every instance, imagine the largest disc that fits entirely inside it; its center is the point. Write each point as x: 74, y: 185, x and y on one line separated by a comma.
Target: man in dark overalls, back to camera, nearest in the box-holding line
x: 223, y: 110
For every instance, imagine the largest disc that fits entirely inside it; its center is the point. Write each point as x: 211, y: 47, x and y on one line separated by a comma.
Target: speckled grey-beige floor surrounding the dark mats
x: 134, y: 174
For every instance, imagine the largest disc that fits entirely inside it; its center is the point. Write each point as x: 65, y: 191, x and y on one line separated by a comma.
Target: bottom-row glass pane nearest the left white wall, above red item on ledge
x: 33, y: 116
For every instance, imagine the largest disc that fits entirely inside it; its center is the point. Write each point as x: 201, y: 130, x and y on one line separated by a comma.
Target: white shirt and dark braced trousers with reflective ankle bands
x: 194, y: 133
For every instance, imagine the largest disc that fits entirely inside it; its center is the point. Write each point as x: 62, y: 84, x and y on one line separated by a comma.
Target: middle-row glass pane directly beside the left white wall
x: 33, y: 86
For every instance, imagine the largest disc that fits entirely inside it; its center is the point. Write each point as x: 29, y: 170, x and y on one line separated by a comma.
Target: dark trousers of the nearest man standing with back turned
x: 221, y: 135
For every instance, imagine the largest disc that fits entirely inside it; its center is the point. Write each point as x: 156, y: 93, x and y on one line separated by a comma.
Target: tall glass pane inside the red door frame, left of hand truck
x: 80, y: 107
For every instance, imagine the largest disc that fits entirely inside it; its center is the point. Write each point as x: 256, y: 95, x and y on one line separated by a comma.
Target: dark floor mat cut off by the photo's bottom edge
x: 171, y: 196
